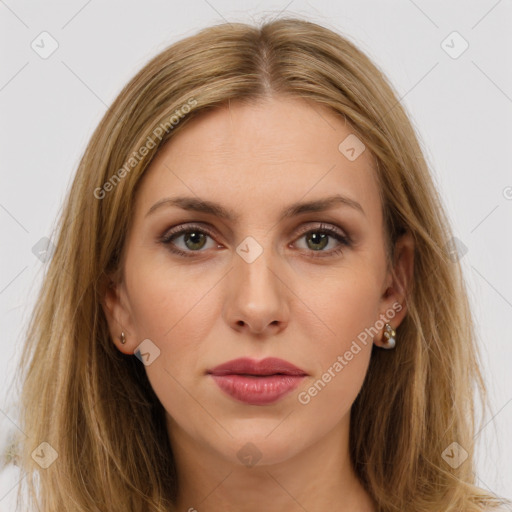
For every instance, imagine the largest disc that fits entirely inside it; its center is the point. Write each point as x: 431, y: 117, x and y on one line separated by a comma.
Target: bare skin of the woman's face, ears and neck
x: 203, y: 310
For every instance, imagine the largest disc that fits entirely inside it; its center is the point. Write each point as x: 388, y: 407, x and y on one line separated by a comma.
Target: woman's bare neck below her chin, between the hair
x: 311, y: 479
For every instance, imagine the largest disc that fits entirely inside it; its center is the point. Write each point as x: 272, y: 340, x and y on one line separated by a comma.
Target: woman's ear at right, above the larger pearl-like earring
x: 398, y: 284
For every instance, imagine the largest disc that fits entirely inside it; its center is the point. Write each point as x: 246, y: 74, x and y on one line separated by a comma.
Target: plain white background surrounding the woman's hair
x: 461, y: 109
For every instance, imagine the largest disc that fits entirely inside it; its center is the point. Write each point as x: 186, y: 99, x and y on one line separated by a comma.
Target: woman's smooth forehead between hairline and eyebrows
x: 261, y: 157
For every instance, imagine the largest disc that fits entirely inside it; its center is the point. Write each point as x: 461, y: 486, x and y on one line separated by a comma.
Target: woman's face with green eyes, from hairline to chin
x: 259, y: 283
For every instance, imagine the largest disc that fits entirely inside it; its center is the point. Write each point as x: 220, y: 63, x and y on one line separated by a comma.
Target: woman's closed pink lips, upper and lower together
x: 257, y: 382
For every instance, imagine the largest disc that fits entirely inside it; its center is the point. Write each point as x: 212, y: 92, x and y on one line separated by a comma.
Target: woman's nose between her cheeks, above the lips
x: 257, y: 295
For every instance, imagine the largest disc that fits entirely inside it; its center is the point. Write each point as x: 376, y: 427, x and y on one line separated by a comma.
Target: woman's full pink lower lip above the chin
x: 257, y: 390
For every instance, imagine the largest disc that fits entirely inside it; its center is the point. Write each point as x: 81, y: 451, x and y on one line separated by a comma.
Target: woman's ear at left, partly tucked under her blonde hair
x: 115, y: 305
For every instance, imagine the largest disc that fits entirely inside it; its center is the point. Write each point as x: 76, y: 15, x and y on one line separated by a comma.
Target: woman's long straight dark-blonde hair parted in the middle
x: 95, y: 406
